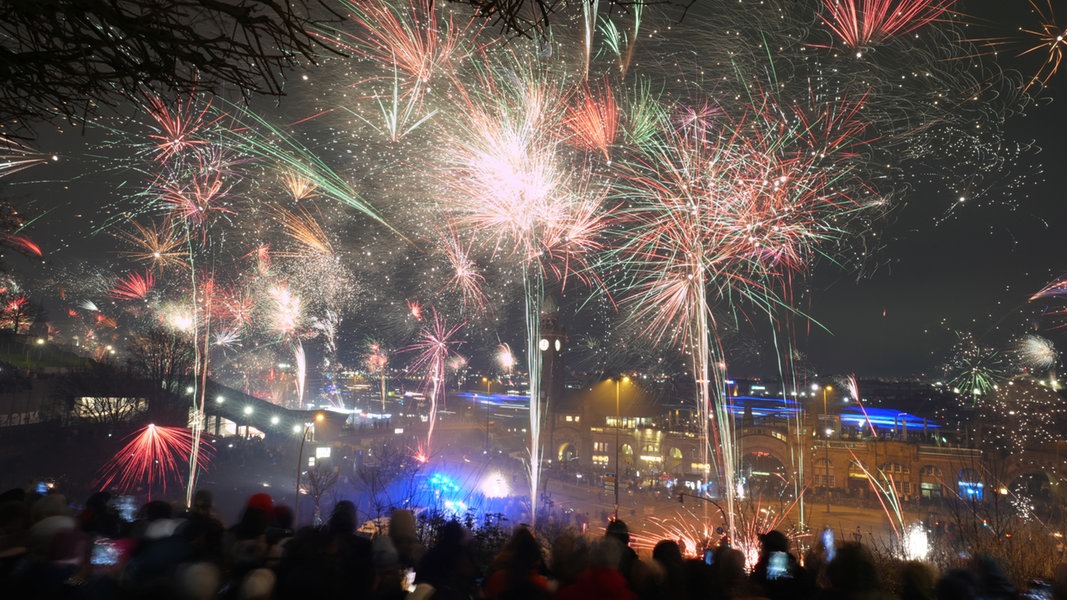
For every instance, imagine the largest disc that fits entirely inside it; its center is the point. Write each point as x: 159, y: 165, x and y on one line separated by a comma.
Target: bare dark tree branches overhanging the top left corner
x: 68, y: 58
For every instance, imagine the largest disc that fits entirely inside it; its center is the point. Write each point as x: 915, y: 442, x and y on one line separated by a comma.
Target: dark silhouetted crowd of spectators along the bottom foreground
x: 49, y: 551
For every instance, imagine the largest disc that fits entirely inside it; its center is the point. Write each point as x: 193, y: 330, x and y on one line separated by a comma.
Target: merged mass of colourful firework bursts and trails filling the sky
x: 690, y: 176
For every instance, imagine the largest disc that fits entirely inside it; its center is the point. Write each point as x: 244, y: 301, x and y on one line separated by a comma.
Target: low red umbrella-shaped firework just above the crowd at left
x: 154, y: 457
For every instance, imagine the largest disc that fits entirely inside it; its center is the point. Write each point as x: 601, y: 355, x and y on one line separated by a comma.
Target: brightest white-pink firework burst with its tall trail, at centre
x: 512, y: 191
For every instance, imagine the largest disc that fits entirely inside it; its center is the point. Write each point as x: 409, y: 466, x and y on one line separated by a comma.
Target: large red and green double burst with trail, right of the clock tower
x: 724, y: 213
